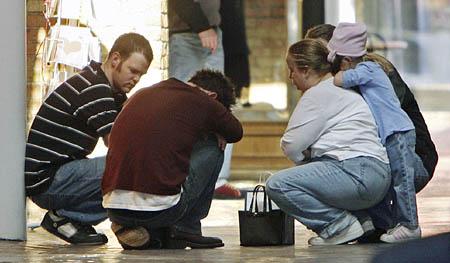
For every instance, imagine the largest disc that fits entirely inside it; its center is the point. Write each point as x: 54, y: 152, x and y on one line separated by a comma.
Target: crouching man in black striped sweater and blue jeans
x: 58, y: 175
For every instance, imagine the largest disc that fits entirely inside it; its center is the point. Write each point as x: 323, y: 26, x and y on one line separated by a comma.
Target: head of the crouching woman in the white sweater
x: 307, y: 63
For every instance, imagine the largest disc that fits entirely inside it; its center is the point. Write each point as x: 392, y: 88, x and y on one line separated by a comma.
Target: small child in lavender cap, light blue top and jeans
x: 396, y: 130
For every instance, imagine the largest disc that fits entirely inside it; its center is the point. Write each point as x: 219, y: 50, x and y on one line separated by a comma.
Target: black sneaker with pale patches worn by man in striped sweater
x: 72, y: 231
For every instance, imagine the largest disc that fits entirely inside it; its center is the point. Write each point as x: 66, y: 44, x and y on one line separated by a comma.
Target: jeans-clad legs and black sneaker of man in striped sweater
x: 75, y: 201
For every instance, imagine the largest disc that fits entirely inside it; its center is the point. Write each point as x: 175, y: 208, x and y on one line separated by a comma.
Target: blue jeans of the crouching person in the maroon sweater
x: 198, y: 189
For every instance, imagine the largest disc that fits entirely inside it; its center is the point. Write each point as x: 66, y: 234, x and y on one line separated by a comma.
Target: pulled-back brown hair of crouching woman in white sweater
x: 310, y: 53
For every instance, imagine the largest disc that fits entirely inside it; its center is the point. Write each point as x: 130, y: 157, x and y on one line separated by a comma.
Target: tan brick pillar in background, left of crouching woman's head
x: 267, y: 39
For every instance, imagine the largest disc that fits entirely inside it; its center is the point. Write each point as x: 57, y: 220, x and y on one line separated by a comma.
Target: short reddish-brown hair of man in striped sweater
x: 129, y: 43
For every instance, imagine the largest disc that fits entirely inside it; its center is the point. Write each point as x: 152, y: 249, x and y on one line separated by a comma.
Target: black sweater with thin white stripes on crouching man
x: 68, y: 125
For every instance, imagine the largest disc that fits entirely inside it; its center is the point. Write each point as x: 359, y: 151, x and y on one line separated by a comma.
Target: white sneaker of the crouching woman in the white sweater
x: 351, y: 233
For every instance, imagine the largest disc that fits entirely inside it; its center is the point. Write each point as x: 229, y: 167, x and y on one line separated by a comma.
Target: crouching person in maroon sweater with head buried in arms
x: 163, y: 161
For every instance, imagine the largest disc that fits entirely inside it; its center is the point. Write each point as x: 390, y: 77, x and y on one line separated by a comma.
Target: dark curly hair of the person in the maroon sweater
x: 215, y: 81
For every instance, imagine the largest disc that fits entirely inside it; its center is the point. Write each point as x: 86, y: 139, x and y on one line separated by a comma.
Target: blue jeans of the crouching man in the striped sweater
x: 76, y: 192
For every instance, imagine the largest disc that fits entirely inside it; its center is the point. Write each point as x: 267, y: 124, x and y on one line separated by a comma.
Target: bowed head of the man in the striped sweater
x: 128, y: 60
